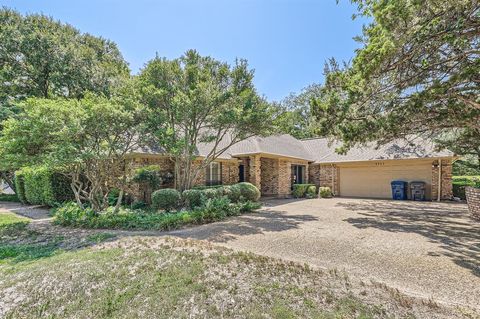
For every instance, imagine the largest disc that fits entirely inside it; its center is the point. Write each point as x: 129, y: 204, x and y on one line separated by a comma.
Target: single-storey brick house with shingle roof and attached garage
x: 276, y: 162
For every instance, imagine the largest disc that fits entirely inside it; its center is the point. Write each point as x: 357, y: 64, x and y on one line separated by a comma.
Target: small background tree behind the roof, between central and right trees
x: 294, y: 116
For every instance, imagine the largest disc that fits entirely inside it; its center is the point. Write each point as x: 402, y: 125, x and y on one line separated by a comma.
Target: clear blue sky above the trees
x: 286, y: 41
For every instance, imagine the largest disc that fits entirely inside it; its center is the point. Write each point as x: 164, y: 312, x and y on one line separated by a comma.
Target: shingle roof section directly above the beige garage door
x: 414, y: 147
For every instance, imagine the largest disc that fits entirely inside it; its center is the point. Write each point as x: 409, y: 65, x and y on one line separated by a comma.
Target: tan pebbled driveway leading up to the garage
x: 425, y: 249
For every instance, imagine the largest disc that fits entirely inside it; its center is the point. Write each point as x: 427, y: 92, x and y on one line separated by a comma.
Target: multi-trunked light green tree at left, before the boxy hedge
x: 87, y: 140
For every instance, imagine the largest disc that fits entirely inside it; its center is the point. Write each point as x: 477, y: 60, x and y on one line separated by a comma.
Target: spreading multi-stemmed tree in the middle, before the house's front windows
x: 195, y: 99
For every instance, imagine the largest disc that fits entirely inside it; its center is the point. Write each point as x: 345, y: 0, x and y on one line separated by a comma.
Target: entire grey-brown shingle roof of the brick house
x: 318, y: 150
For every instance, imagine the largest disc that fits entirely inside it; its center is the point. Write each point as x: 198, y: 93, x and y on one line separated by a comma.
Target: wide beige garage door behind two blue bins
x: 374, y: 180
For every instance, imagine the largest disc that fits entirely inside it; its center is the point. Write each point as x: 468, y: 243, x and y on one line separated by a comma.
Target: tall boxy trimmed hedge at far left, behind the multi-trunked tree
x: 42, y: 186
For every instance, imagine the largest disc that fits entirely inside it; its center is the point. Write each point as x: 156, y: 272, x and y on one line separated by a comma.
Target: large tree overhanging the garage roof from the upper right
x: 417, y: 72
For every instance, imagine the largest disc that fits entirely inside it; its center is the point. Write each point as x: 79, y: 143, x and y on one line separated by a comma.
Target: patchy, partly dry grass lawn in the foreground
x: 95, y: 274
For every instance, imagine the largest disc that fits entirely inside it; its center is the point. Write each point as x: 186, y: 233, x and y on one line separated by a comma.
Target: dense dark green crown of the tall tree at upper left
x: 43, y: 57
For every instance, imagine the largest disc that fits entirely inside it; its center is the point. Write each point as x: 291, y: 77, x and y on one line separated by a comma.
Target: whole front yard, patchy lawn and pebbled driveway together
x: 335, y: 260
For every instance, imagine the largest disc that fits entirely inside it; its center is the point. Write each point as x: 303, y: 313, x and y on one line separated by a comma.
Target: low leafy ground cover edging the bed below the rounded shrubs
x: 216, y: 209
